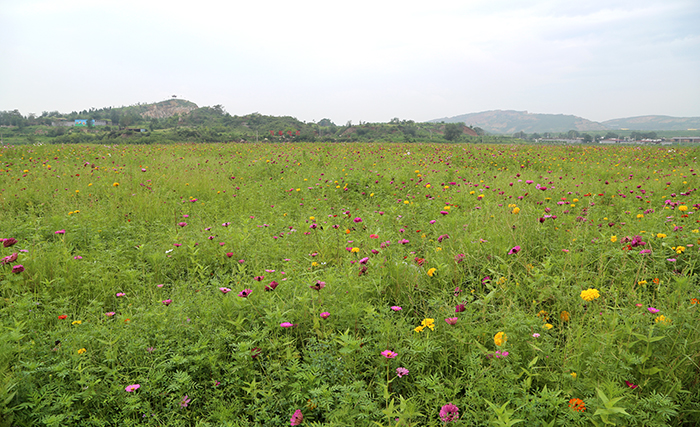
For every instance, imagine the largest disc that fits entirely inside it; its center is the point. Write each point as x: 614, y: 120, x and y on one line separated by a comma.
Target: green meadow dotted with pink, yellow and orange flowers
x: 349, y: 284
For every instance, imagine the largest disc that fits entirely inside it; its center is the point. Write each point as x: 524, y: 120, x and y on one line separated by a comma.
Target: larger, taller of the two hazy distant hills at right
x: 510, y: 121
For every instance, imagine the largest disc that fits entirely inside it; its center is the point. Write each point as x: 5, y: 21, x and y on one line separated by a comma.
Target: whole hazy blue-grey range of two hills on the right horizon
x: 511, y: 121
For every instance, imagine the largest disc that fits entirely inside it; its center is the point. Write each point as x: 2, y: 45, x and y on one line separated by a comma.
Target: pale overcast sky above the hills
x: 361, y: 60
